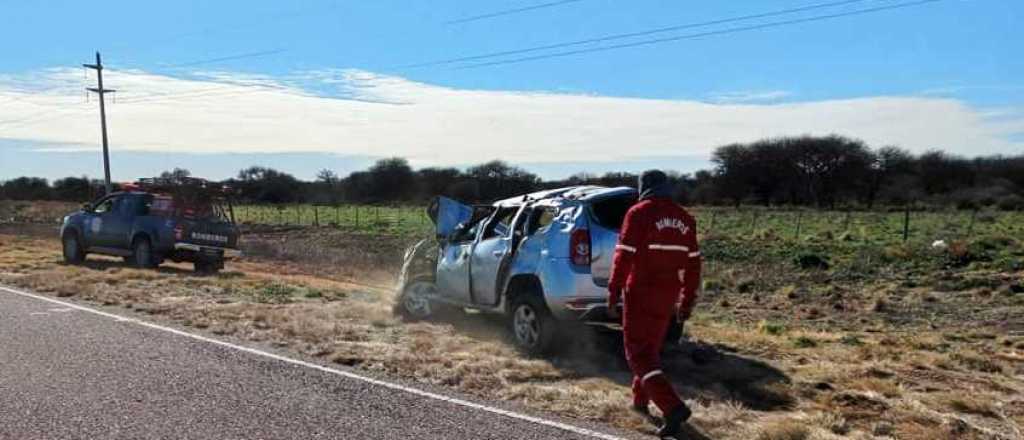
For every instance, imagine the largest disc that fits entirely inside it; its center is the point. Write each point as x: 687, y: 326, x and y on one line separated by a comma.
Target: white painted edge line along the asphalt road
x: 350, y: 375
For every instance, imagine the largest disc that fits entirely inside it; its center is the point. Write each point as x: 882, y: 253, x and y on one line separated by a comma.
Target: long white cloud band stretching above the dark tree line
x: 364, y: 114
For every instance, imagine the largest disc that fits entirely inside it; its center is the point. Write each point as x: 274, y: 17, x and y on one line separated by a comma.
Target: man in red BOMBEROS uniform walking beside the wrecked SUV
x: 656, y: 273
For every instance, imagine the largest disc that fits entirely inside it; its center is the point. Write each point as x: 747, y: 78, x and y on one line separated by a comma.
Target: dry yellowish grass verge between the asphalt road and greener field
x: 812, y: 378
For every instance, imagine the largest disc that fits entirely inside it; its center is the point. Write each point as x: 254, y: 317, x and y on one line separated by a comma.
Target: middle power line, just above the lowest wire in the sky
x: 635, y: 34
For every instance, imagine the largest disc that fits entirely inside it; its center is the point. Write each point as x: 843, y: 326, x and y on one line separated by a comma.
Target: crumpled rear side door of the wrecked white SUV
x: 494, y: 248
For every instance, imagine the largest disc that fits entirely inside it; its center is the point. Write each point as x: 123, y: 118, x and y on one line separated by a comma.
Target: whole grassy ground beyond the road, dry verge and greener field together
x: 822, y: 337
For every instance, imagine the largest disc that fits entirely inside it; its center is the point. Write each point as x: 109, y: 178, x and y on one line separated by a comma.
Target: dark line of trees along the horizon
x: 825, y: 172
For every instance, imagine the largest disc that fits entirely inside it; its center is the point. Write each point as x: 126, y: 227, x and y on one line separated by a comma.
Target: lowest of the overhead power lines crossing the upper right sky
x: 701, y: 35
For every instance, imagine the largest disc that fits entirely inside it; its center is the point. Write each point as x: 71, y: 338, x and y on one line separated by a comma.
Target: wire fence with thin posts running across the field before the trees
x: 785, y: 225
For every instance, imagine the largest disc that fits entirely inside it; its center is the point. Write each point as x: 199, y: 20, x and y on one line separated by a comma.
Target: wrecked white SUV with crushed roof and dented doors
x: 542, y: 260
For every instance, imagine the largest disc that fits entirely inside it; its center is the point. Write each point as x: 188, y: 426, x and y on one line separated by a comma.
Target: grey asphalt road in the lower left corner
x: 70, y: 374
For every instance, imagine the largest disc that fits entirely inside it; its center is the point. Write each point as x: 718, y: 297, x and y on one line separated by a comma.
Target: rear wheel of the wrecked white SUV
x: 534, y: 330
